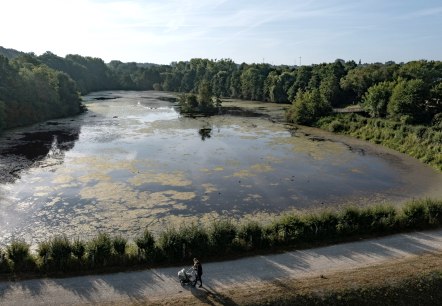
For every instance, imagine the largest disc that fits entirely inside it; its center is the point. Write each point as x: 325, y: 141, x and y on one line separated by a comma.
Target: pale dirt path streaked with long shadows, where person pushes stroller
x: 161, y: 286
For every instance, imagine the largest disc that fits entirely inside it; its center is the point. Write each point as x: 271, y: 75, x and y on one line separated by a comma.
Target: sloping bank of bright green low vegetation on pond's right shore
x: 421, y: 142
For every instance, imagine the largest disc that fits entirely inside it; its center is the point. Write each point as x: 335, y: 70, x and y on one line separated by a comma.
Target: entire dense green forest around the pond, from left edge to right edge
x: 34, y: 88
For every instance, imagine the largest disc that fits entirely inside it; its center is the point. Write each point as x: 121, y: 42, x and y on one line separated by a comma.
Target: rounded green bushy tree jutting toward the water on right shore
x: 308, y: 107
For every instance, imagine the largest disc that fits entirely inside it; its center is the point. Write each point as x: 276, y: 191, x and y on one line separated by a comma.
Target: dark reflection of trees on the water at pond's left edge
x: 25, y: 152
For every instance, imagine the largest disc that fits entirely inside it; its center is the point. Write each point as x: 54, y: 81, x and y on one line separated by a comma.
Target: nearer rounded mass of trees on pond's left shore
x: 31, y: 92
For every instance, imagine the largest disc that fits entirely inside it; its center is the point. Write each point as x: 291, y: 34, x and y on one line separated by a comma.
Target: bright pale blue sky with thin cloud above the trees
x: 277, y: 31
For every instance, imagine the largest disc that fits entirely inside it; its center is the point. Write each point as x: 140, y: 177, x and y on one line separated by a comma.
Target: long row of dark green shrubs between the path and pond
x: 219, y: 240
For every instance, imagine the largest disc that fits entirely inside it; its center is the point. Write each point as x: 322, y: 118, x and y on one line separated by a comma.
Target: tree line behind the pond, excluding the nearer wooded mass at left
x: 409, y: 92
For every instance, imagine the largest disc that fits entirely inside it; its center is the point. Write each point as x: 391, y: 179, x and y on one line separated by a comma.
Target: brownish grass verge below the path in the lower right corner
x: 413, y: 281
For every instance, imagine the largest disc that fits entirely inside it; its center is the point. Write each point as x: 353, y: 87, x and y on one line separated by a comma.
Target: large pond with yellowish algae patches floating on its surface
x: 132, y: 161
